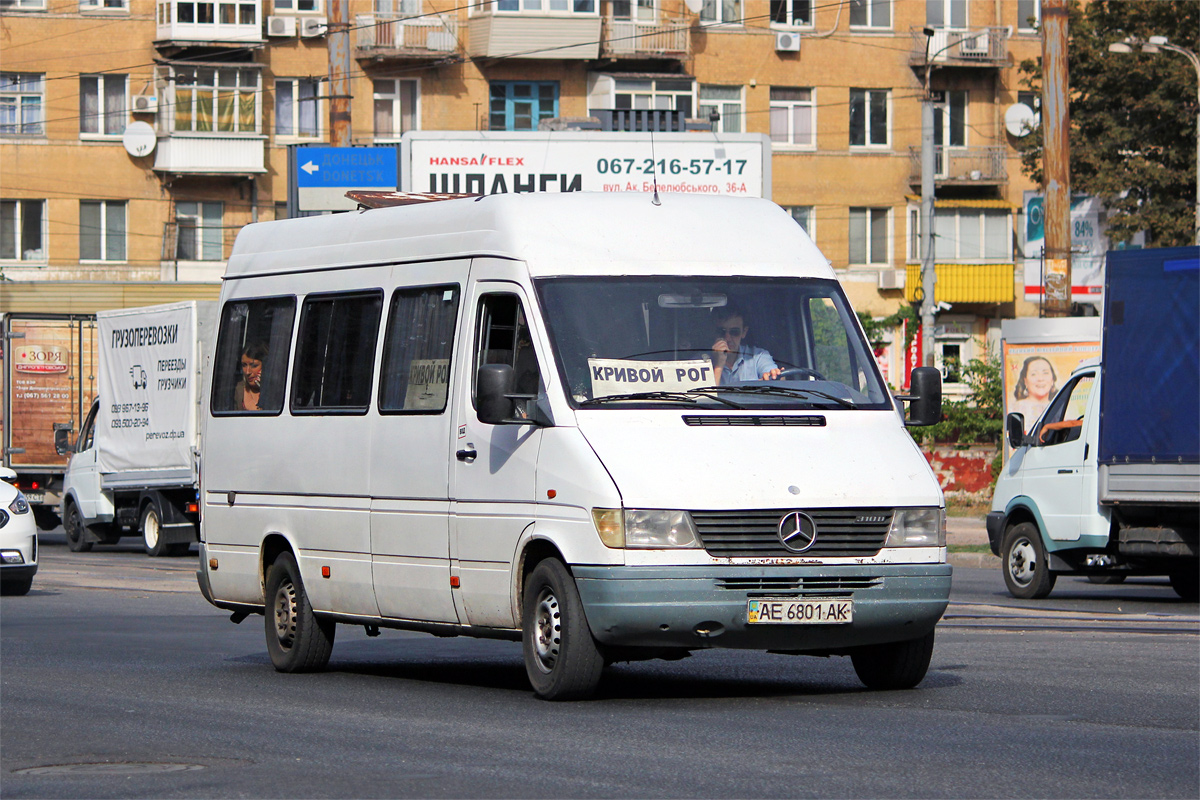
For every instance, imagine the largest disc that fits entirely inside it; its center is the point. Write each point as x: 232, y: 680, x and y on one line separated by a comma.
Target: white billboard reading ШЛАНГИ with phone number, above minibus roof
x: 487, y: 163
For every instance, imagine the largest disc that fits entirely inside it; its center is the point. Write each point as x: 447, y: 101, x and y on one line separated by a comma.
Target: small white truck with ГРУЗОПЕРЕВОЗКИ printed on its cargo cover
x: 134, y: 467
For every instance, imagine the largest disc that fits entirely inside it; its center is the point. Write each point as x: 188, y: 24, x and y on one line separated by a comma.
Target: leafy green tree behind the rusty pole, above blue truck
x: 1133, y: 118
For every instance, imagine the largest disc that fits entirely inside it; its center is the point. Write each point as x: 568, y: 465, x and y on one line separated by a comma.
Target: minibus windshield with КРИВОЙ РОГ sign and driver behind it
x: 737, y: 342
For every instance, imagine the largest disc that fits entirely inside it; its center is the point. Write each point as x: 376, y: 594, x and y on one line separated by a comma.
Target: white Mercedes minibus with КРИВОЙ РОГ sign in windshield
x: 610, y: 426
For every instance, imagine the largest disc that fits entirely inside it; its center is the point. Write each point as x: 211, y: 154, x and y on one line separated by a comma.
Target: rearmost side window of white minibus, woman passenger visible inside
x: 251, y: 364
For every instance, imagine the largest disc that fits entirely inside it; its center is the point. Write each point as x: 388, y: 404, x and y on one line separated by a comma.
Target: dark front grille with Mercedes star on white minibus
x: 755, y: 534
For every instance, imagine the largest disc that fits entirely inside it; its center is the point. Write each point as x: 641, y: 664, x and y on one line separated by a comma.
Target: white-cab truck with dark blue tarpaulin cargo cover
x: 1107, y: 483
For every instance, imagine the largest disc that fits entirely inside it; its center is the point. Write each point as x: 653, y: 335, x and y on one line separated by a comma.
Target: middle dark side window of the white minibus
x: 335, y: 353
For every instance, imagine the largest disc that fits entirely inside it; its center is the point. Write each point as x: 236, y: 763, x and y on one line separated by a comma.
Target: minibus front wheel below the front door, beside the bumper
x: 562, y: 659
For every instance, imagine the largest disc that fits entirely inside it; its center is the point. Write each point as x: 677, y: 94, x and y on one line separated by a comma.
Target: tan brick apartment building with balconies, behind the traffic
x: 229, y: 86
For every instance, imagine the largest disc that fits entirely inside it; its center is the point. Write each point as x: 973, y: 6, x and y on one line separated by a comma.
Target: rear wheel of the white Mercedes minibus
x: 297, y: 640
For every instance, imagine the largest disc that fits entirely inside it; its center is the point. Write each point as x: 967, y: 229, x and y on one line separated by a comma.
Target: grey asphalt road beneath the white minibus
x: 119, y: 681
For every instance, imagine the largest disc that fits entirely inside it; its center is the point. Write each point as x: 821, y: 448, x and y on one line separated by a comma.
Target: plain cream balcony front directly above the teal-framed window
x: 536, y: 37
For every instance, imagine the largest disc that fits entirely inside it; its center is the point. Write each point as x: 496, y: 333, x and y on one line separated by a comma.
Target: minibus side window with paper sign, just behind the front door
x: 417, y: 350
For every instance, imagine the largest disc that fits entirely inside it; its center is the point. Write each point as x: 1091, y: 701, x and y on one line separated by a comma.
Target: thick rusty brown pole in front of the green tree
x: 1057, y: 158
